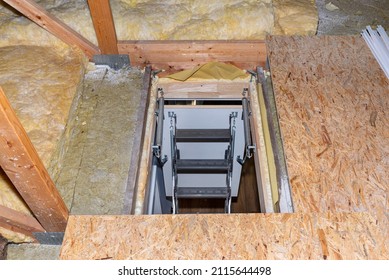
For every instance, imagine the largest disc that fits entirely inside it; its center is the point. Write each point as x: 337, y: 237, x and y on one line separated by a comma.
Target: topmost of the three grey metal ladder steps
x: 203, y: 135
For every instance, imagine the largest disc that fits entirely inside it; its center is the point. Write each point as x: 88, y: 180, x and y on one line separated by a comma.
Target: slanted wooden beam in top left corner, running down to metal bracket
x: 52, y: 24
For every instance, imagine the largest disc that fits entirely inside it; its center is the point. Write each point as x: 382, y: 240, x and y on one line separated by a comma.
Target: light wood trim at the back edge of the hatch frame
x: 203, y: 89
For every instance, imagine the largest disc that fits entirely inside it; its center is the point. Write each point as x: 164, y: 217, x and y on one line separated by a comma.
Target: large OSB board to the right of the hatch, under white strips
x: 332, y: 99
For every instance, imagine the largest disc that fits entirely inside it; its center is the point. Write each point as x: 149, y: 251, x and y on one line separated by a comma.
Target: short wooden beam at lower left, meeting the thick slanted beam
x: 18, y: 222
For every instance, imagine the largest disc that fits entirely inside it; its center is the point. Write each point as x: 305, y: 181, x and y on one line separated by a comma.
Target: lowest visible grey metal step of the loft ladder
x: 202, y: 192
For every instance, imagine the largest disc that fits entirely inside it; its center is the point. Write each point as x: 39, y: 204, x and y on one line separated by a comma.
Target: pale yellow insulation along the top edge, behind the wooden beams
x: 170, y: 19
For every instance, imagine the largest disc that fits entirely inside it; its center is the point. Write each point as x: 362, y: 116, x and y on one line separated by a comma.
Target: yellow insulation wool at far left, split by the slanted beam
x: 40, y: 84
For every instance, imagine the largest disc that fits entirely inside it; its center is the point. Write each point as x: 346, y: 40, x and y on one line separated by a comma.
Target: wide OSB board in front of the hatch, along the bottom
x: 220, y: 236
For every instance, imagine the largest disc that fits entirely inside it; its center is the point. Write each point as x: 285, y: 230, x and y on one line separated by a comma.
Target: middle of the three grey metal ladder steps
x: 202, y: 166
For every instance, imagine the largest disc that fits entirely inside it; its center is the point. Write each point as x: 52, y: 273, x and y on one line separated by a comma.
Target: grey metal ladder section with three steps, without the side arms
x: 202, y: 166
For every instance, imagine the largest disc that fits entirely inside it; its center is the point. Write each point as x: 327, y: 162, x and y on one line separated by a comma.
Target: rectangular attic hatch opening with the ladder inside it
x: 204, y: 156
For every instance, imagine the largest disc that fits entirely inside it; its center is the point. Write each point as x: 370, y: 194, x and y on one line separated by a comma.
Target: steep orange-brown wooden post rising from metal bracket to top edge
x: 104, y: 26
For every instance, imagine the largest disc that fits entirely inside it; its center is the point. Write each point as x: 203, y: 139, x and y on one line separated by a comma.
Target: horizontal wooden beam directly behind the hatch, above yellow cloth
x: 173, y: 56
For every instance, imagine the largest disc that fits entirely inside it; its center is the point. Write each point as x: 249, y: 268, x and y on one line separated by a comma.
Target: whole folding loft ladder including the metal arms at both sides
x: 195, y: 166
